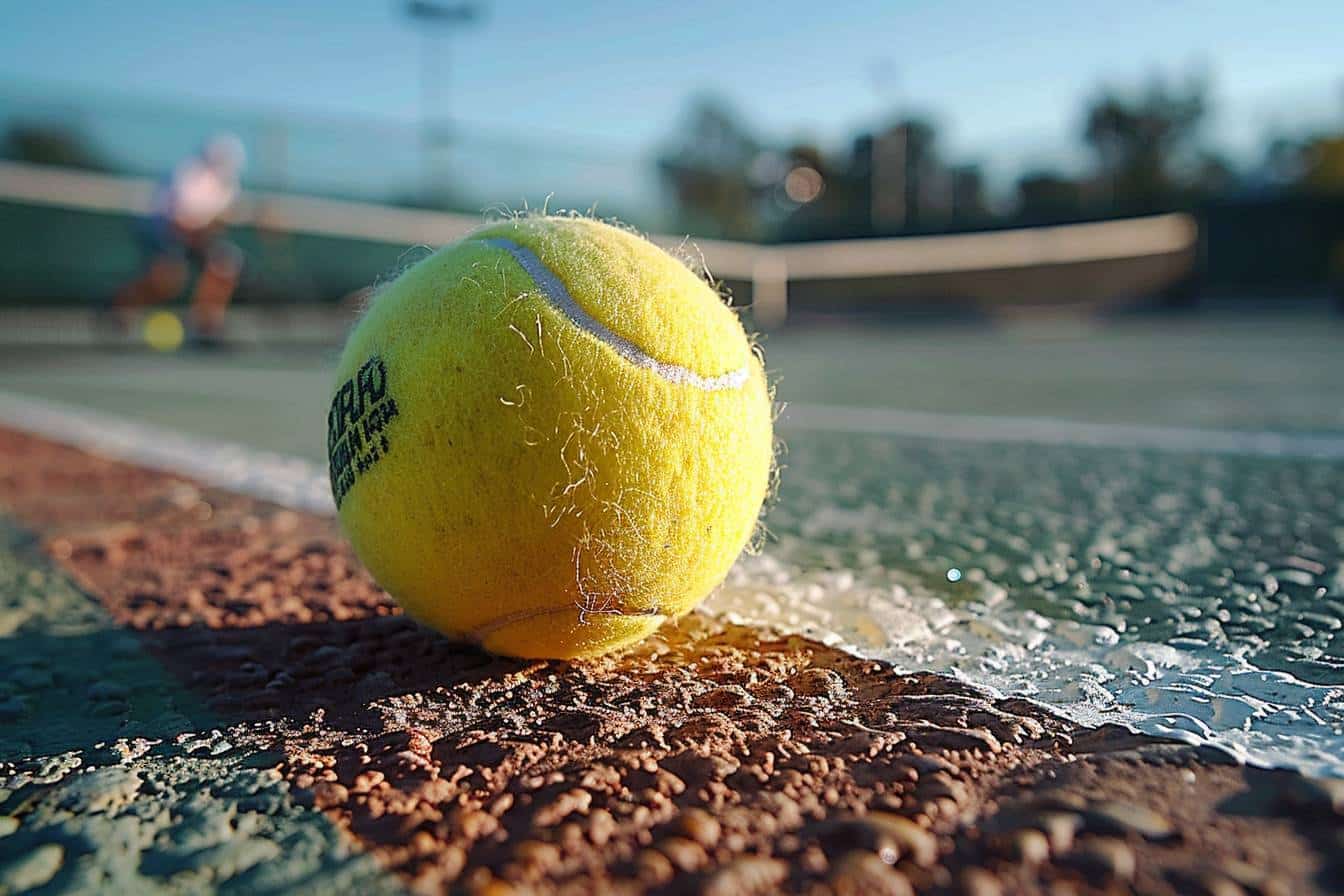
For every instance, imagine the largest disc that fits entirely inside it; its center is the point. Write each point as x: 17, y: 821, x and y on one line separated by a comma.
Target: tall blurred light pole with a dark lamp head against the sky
x: 436, y: 21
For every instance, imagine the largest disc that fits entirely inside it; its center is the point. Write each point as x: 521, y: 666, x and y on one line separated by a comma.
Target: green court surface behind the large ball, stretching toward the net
x: 1139, y: 519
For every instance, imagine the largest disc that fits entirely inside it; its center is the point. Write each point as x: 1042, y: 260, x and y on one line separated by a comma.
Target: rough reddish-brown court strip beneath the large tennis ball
x: 712, y: 758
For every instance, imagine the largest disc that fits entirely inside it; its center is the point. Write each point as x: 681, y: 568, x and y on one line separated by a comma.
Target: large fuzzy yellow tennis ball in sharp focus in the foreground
x: 549, y: 439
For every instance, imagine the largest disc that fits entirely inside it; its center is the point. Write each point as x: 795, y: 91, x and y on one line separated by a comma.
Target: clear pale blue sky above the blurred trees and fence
x: 1001, y: 77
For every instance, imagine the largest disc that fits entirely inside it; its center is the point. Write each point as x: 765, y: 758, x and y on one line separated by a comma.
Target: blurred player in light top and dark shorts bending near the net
x: 186, y: 226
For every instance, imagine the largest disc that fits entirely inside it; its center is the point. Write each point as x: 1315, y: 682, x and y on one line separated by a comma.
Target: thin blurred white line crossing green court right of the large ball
x: 876, y: 421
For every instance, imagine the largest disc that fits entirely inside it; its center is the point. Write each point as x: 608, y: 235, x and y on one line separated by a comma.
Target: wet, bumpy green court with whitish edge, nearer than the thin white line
x: 1186, y: 593
